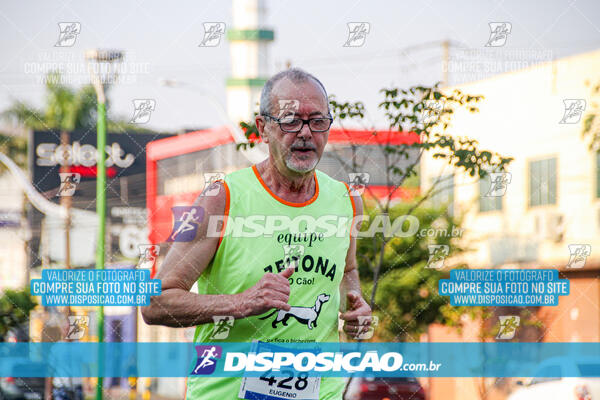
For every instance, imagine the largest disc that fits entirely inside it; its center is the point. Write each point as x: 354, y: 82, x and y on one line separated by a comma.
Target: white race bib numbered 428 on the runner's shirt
x: 288, y: 384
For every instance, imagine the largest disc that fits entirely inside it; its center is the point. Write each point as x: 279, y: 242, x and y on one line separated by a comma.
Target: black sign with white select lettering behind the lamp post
x: 125, y: 186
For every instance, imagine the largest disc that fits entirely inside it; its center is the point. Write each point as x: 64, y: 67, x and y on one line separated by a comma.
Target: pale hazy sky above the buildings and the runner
x: 402, y: 48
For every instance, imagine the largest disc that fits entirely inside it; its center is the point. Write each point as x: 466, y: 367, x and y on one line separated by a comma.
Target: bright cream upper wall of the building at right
x: 519, y: 117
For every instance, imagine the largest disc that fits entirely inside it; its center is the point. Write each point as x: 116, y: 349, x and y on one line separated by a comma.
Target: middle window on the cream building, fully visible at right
x: 542, y: 182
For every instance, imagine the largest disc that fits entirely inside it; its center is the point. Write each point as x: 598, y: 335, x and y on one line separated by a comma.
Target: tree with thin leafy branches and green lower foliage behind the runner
x: 397, y: 265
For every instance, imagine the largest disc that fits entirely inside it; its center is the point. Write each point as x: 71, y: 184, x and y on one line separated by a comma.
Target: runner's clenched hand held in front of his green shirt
x: 272, y: 291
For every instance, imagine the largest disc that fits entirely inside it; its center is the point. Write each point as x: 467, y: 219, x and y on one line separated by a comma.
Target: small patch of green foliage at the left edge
x: 15, y: 306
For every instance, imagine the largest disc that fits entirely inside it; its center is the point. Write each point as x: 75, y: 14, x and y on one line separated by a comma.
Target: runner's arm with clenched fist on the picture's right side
x: 358, y: 312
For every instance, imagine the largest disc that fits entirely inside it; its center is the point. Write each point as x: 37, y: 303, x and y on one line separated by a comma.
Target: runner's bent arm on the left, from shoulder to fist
x: 177, y: 307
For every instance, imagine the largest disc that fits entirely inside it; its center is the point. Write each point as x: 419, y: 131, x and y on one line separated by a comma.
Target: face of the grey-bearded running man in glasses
x: 301, y: 151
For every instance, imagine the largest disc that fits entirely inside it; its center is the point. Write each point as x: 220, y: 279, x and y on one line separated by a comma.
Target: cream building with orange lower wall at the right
x: 550, y: 212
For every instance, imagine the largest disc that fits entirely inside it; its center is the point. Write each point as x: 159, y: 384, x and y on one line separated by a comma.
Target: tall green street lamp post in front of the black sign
x: 101, y: 64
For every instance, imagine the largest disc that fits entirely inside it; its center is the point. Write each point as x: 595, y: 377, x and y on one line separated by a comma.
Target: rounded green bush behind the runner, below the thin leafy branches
x: 407, y: 300
